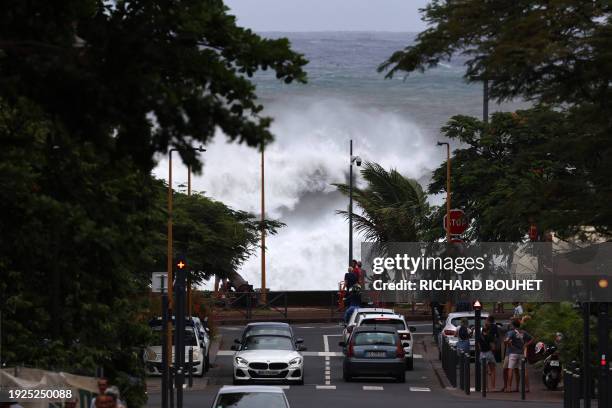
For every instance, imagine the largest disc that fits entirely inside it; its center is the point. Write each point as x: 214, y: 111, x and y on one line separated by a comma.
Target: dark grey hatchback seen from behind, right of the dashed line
x: 373, y: 351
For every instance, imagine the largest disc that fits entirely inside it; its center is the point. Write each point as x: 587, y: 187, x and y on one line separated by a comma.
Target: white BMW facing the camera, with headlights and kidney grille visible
x: 262, y: 355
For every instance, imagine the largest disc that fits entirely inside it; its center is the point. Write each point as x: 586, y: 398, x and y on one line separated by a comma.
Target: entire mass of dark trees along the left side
x: 90, y: 91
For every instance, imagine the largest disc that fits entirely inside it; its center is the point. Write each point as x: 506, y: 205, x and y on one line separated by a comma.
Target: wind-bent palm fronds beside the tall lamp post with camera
x: 394, y: 207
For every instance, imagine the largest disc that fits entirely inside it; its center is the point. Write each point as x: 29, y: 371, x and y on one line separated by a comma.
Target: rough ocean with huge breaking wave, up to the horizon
x: 394, y: 122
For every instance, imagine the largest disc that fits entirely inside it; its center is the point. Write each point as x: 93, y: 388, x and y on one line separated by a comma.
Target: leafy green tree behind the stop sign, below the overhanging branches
x: 516, y: 170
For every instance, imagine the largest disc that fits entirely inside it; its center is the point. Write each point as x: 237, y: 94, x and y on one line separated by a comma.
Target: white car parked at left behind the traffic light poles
x: 193, y: 341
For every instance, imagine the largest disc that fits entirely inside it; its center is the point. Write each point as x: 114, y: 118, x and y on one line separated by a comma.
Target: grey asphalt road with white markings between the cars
x: 324, y: 386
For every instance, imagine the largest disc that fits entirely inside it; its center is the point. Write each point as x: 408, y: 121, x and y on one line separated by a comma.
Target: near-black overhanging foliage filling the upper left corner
x: 137, y: 77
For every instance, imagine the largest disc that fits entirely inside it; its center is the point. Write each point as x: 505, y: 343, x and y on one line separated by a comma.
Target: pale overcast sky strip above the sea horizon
x: 328, y: 15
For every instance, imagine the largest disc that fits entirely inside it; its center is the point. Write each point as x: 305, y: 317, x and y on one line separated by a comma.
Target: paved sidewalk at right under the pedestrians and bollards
x: 538, y: 392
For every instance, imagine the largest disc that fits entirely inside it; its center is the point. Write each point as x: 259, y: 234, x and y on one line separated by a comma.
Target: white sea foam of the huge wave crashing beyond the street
x: 309, y: 154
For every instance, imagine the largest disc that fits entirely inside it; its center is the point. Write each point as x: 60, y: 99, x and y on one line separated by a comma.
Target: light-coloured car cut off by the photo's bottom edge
x: 250, y: 396
